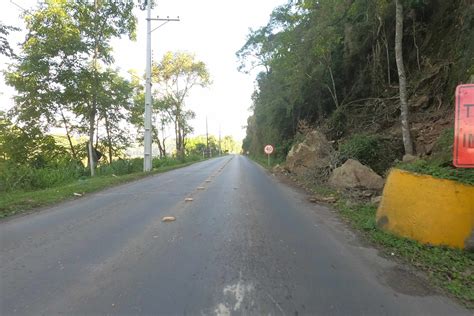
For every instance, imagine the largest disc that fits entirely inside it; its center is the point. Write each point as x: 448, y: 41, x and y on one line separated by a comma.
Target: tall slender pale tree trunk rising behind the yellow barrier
x: 404, y: 114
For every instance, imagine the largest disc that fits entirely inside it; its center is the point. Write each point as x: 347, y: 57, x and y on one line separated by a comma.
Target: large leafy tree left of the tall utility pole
x: 59, y: 69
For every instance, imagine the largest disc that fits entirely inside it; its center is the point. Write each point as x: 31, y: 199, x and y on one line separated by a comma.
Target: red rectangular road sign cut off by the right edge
x: 463, y: 153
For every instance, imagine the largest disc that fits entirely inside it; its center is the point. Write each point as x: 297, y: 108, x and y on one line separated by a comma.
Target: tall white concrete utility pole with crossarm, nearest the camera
x: 147, y: 159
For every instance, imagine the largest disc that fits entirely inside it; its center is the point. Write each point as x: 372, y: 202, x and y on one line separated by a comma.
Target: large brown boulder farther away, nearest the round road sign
x: 313, y: 153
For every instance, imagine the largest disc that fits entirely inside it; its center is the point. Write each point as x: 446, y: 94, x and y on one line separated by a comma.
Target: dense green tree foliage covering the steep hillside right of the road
x: 312, y: 56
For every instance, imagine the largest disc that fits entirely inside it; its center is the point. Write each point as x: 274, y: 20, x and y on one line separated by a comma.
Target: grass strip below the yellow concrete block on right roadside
x: 449, y: 269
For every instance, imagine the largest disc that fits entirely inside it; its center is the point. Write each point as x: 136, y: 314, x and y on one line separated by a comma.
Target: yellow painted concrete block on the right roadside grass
x: 430, y: 210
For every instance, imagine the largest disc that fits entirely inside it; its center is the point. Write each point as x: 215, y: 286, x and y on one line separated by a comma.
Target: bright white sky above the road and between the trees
x: 211, y: 29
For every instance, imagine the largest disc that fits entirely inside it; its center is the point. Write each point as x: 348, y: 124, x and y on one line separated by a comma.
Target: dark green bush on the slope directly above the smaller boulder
x: 371, y: 150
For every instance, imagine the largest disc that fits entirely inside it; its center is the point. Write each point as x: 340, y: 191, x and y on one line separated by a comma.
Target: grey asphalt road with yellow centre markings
x: 246, y: 244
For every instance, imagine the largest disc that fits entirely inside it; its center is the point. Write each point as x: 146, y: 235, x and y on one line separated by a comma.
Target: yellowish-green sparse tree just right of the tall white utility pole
x: 177, y: 74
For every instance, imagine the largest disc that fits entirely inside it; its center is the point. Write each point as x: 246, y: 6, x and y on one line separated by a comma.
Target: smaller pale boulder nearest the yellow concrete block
x: 352, y: 174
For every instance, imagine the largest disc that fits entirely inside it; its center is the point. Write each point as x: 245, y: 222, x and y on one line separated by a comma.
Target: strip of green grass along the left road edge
x: 17, y: 202
